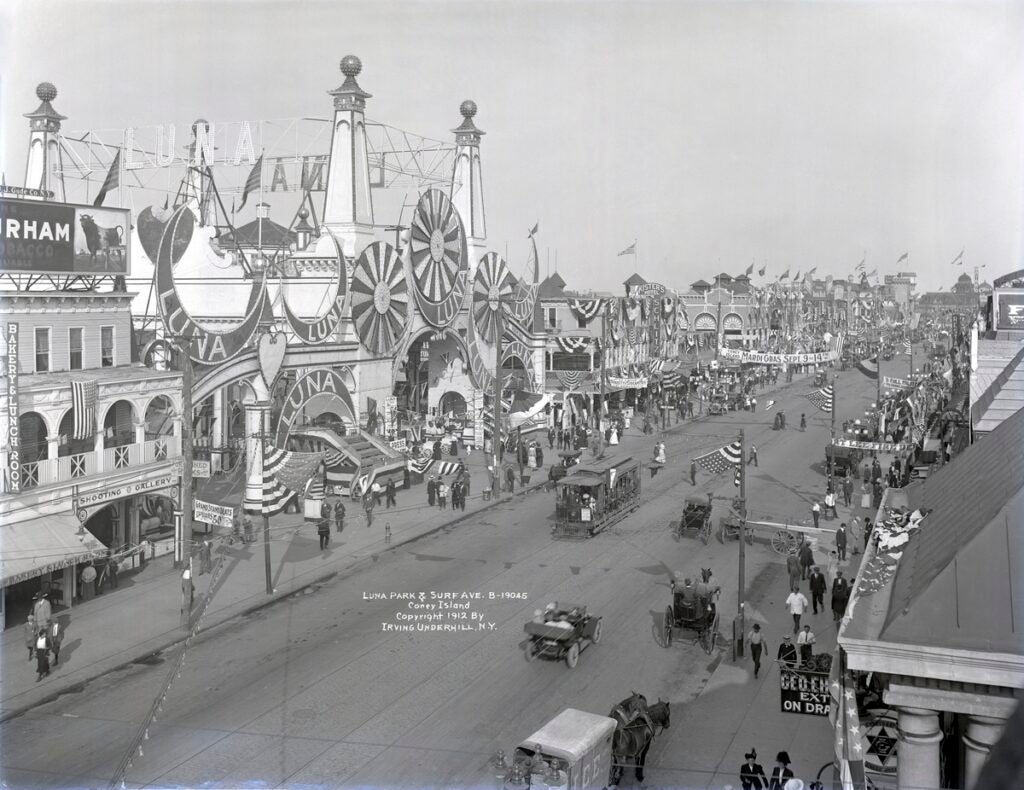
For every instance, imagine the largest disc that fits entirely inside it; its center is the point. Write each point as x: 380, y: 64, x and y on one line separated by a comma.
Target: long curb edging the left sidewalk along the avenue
x: 270, y: 601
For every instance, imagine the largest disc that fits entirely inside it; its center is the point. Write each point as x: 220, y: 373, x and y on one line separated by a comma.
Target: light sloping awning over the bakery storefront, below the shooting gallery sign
x: 44, y: 545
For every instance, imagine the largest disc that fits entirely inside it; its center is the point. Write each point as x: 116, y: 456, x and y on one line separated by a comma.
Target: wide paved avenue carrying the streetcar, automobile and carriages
x: 314, y: 691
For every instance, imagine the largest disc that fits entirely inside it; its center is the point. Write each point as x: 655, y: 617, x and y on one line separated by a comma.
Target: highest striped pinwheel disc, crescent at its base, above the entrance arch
x: 439, y: 253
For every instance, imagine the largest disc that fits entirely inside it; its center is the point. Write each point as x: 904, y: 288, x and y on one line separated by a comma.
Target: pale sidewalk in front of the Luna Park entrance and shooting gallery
x: 144, y: 617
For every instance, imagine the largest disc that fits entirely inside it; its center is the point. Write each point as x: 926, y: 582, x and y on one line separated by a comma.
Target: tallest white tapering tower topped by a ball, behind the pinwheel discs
x: 349, y: 209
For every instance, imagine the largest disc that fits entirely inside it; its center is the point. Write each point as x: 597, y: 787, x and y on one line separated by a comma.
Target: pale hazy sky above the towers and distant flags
x: 787, y: 135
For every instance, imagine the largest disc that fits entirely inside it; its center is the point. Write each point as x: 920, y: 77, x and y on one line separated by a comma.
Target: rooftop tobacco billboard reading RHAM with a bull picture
x: 42, y: 238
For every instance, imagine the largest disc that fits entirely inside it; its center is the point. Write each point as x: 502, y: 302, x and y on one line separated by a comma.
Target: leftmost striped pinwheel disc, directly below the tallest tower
x: 380, y: 298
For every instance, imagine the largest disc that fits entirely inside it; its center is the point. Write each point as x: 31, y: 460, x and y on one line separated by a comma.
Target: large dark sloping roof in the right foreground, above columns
x: 957, y: 586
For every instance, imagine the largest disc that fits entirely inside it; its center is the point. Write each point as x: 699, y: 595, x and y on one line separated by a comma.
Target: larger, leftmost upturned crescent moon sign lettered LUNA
x: 204, y: 347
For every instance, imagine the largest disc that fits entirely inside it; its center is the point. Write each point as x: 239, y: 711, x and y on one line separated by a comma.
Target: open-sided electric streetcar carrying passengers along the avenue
x: 594, y: 497
